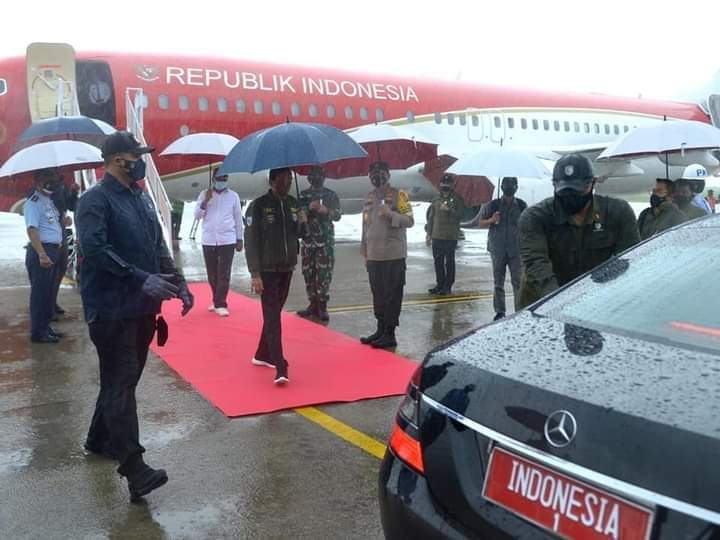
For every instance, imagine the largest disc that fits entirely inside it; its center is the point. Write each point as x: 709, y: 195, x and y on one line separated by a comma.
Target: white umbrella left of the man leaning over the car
x: 498, y: 163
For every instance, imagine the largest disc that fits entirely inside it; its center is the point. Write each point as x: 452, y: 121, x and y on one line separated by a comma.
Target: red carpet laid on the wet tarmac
x: 213, y: 354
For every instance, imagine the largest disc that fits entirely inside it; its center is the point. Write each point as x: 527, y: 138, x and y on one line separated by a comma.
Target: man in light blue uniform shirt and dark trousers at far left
x: 42, y: 220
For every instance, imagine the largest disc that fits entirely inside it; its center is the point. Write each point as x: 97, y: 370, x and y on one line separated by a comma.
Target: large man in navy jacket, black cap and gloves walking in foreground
x: 127, y: 272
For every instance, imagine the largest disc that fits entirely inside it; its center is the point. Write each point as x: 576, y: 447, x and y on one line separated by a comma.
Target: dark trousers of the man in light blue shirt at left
x: 42, y: 284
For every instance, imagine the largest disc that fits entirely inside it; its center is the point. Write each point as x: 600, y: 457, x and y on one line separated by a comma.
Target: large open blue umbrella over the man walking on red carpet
x: 290, y: 145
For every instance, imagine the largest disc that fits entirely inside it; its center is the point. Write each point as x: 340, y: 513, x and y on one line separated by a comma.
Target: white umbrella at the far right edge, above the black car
x: 664, y: 137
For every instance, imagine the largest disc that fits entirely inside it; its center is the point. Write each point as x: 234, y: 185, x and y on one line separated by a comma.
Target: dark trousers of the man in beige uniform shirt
x: 387, y: 280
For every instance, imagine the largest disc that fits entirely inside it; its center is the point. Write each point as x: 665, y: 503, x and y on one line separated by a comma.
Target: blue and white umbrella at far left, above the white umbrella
x: 79, y: 128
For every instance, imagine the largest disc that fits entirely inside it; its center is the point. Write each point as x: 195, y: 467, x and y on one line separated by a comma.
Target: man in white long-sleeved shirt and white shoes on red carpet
x: 222, y: 235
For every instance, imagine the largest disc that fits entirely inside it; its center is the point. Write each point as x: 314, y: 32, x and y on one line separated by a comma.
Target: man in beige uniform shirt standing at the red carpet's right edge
x: 386, y: 215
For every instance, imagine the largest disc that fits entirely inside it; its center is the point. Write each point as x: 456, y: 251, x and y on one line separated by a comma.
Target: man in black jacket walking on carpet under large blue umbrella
x: 275, y: 223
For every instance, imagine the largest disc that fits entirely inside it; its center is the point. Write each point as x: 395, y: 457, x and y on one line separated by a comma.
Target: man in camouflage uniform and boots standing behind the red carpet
x: 322, y: 207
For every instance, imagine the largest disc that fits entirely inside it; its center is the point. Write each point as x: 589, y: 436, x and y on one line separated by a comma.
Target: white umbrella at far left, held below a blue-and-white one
x: 63, y: 154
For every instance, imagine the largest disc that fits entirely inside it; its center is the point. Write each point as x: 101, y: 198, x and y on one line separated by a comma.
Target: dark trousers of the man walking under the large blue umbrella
x: 276, y: 286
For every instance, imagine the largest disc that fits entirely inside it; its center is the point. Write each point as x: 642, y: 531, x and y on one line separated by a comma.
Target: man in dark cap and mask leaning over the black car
x: 571, y: 233
